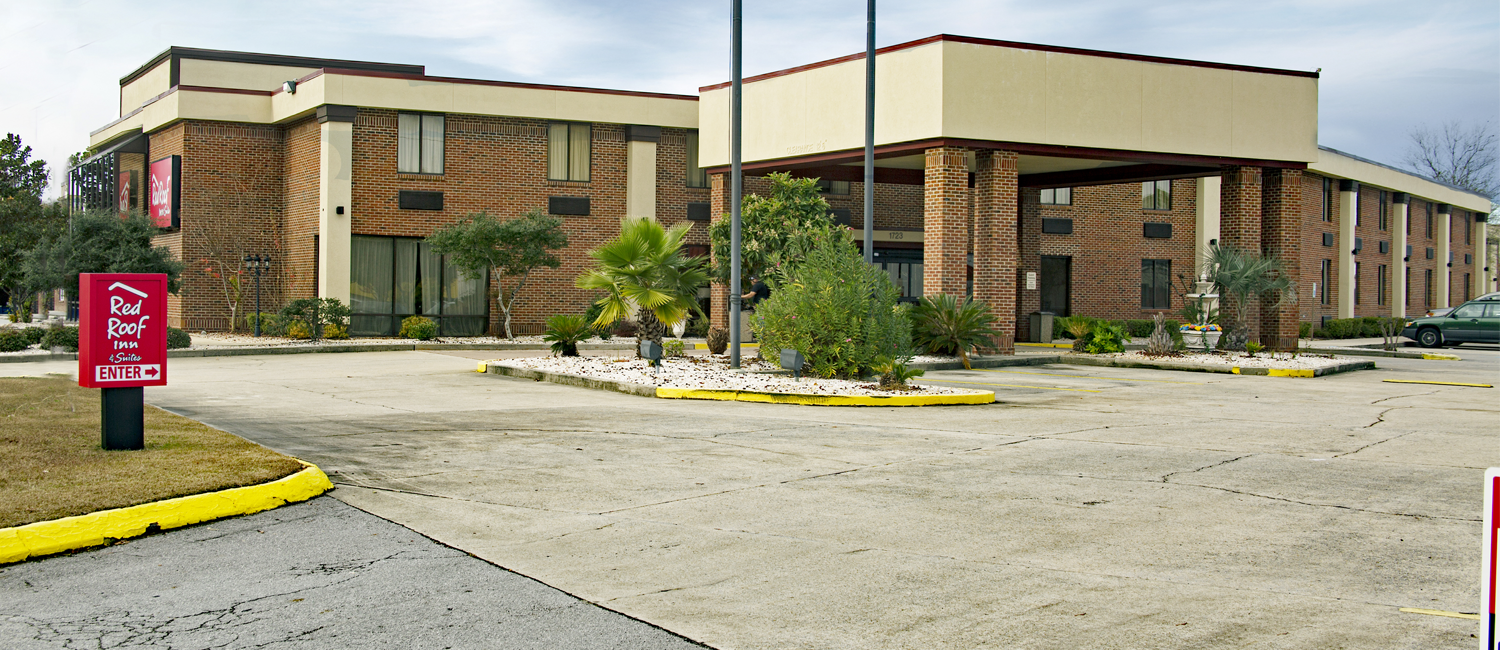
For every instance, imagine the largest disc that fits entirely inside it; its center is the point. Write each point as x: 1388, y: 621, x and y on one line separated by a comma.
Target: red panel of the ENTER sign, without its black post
x: 122, y: 331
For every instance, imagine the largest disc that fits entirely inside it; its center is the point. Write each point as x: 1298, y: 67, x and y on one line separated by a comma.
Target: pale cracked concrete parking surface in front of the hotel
x: 1090, y: 508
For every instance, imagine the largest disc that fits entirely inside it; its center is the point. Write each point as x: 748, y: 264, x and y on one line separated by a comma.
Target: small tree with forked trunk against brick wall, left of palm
x: 512, y: 250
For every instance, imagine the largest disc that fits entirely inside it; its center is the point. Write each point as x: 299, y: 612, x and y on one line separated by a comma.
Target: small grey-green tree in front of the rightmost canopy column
x: 1240, y: 277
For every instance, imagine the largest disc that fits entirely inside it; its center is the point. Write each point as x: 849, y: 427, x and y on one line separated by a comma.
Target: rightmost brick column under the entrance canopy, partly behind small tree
x: 1282, y: 238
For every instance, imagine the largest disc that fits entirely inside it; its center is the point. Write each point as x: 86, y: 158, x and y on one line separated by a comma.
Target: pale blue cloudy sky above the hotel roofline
x: 1387, y: 67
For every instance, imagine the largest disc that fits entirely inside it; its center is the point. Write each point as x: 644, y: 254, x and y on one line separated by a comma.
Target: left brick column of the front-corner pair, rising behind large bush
x: 946, y: 223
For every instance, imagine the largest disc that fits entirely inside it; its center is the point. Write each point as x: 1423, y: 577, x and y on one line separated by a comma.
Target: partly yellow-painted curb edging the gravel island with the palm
x: 740, y: 396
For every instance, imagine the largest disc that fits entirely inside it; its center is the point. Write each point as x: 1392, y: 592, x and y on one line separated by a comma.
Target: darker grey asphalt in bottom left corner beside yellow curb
x: 314, y: 576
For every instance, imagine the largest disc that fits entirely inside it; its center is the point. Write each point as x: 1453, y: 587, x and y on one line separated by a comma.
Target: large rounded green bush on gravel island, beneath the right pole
x: 841, y: 313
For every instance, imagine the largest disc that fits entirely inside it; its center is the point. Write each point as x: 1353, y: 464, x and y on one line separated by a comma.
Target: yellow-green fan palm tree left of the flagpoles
x: 646, y: 278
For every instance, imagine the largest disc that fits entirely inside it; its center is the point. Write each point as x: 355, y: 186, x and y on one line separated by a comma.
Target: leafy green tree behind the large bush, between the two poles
x: 776, y: 232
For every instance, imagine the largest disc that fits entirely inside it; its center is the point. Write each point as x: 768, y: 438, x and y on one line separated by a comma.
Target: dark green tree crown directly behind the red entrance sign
x: 100, y: 242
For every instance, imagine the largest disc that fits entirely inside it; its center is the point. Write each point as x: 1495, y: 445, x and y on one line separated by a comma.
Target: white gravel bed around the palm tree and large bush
x: 709, y: 375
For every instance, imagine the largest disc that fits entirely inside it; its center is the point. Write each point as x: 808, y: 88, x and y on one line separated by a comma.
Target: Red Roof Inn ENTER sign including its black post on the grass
x: 122, y: 349
